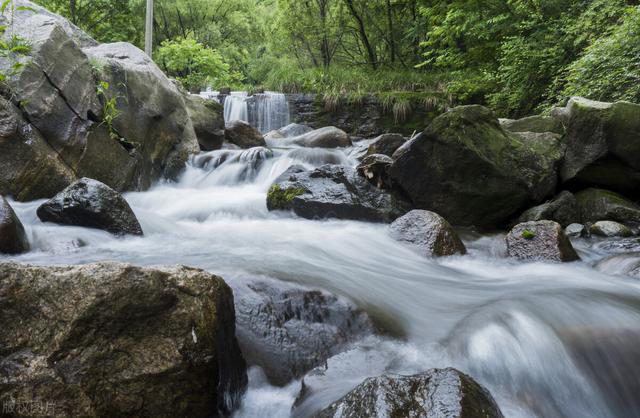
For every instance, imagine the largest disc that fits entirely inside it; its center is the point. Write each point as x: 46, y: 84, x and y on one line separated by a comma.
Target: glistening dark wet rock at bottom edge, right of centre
x: 437, y: 393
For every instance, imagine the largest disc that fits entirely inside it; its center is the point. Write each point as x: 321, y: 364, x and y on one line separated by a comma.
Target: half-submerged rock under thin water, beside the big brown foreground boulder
x: 288, y: 330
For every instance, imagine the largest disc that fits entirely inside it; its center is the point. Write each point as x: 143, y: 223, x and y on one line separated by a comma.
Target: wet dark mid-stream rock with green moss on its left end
x: 333, y: 191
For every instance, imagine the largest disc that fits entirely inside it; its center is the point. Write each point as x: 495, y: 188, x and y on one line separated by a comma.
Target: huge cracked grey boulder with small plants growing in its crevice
x: 150, y: 137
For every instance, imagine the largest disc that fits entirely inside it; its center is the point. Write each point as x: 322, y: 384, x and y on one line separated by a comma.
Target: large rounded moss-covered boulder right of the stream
x: 469, y: 170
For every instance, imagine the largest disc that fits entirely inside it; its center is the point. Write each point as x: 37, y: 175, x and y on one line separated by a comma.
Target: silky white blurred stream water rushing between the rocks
x: 548, y: 340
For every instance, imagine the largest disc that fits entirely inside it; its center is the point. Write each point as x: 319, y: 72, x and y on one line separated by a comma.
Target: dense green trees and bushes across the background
x: 519, y: 56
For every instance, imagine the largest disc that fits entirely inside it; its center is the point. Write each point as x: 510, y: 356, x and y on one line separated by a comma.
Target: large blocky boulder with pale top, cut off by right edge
x: 603, y: 144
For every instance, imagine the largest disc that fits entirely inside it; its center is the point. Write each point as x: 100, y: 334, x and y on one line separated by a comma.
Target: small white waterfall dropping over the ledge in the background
x: 265, y: 111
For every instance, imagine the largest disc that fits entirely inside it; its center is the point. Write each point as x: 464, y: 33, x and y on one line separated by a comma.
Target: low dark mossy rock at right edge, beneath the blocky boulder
x: 603, y: 205
